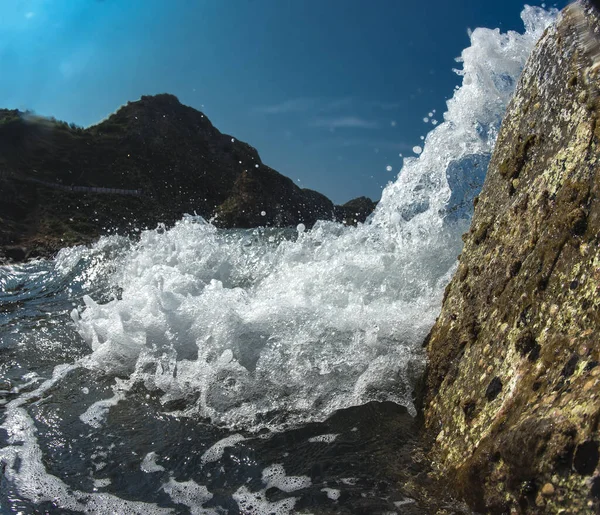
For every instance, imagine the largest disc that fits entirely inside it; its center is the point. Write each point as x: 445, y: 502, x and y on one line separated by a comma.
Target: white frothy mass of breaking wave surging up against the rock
x: 257, y: 333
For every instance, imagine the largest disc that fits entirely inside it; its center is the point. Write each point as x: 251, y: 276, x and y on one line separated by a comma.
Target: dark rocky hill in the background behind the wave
x: 151, y: 161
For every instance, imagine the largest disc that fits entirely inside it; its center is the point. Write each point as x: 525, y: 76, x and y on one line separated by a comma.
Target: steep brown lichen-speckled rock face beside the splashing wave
x: 513, y: 385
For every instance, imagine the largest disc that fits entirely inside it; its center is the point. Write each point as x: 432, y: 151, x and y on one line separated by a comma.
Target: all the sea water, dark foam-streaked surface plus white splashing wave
x: 197, y: 370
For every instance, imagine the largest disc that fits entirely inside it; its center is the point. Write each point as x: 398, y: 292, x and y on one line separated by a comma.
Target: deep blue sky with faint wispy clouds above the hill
x: 330, y: 92
